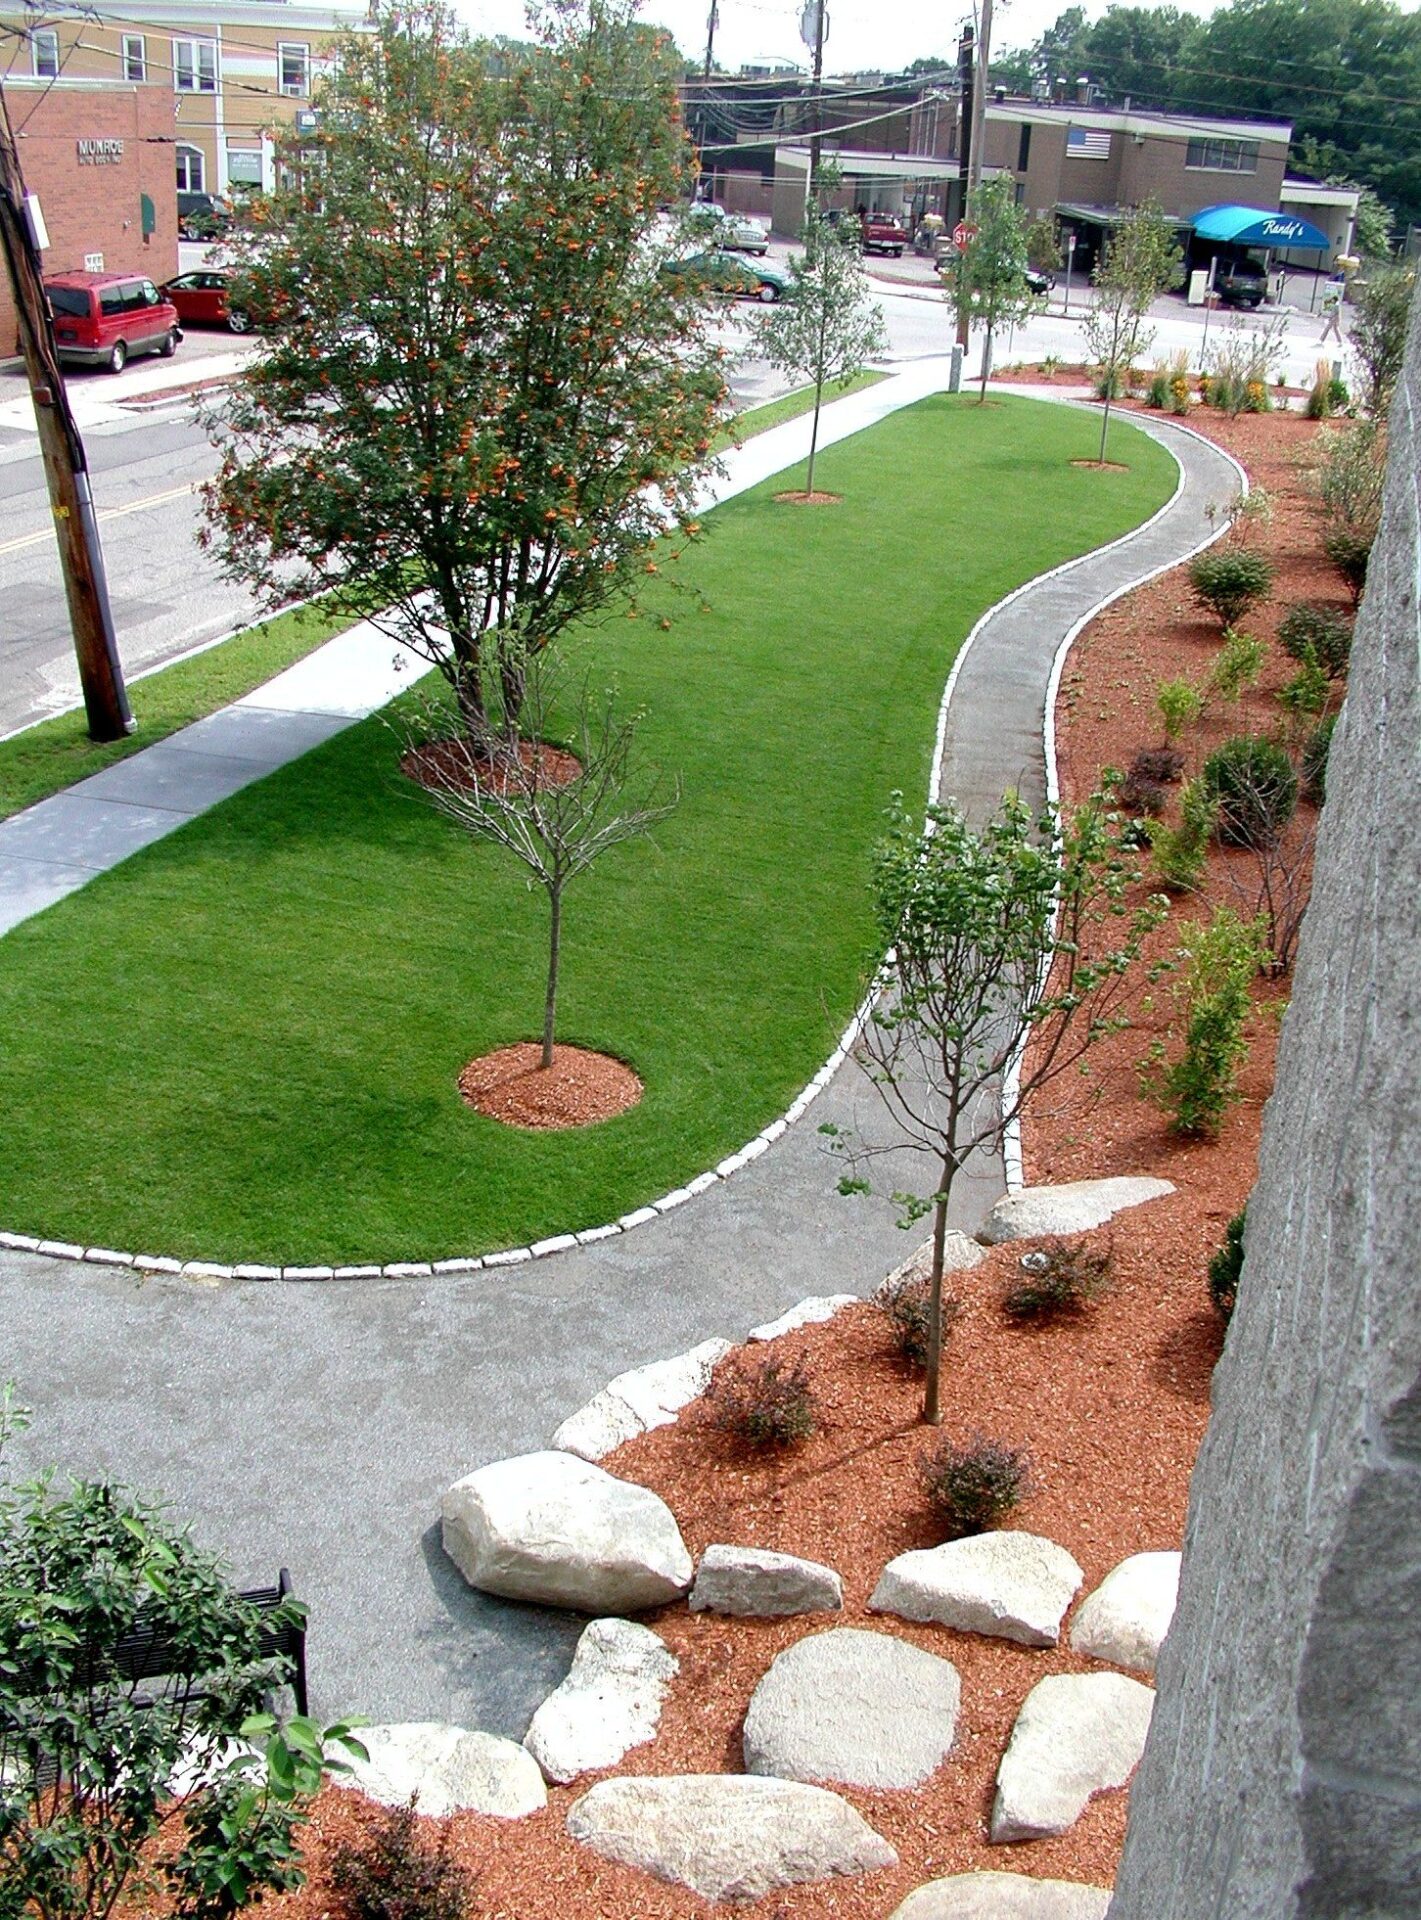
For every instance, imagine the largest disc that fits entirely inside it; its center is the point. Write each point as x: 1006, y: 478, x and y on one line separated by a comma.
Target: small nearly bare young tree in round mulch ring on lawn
x: 556, y: 809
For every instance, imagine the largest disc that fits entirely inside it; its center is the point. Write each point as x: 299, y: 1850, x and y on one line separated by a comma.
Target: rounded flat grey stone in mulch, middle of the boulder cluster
x: 854, y: 1708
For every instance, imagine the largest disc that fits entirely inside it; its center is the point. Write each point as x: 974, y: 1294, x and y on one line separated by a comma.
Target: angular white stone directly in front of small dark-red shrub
x: 1009, y: 1585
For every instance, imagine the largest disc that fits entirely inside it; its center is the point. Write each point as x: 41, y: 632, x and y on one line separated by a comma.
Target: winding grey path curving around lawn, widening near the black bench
x: 318, y: 1426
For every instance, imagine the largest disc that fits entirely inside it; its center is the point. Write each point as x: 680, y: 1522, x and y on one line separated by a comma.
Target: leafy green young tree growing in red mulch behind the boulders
x: 1011, y: 951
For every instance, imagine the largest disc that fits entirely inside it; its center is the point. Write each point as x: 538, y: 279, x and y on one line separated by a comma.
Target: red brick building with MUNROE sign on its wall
x: 99, y: 155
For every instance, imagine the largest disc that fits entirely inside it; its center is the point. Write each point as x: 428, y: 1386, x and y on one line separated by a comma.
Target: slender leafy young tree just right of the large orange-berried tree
x: 829, y: 327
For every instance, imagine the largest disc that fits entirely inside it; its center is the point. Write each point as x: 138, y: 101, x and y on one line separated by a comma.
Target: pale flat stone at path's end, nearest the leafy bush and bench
x: 448, y: 1767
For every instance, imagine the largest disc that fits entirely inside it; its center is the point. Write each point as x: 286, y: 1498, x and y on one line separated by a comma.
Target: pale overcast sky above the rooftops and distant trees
x: 861, y: 36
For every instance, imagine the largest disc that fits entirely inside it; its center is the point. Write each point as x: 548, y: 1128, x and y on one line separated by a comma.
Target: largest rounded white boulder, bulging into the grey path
x: 556, y: 1529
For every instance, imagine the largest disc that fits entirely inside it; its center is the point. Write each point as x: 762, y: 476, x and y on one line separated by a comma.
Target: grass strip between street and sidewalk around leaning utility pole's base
x: 57, y: 754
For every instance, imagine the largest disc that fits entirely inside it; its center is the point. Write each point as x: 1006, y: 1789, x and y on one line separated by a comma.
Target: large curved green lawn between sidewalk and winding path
x: 245, y: 1042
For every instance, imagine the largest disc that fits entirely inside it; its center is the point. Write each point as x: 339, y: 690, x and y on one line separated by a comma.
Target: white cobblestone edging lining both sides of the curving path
x: 210, y: 1272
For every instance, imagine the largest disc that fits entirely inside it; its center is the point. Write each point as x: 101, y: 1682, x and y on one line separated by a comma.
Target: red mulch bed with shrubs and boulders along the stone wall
x: 1111, y: 1404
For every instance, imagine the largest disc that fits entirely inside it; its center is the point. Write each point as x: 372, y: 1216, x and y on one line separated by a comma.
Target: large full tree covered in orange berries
x: 477, y: 404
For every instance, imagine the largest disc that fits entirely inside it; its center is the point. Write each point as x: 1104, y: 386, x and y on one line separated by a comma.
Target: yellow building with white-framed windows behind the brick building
x: 235, y: 68
